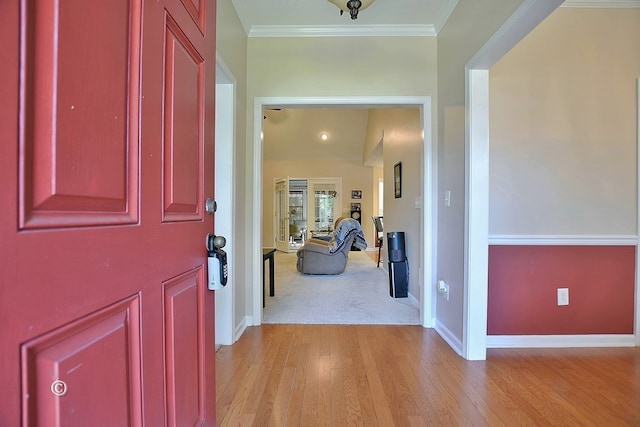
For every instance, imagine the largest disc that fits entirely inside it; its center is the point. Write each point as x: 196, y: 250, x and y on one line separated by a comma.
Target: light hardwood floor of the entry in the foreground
x: 334, y: 375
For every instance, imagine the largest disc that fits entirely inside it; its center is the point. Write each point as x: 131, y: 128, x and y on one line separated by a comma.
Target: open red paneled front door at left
x: 106, y: 159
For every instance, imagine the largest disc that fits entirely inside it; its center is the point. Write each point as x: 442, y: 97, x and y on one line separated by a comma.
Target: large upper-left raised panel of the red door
x: 80, y: 138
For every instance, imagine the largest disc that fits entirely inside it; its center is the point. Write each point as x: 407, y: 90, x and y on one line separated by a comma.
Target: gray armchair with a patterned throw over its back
x: 322, y: 257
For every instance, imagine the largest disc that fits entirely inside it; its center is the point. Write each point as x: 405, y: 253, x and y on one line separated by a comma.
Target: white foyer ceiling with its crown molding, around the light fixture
x: 319, y: 18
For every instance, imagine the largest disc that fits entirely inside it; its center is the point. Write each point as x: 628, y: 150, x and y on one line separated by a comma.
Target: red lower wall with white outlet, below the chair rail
x: 523, y: 283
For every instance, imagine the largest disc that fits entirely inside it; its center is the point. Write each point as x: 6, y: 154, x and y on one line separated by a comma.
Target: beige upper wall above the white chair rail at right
x: 563, y: 127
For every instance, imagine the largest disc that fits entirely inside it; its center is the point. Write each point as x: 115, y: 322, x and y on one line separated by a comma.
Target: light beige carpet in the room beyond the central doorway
x: 360, y: 295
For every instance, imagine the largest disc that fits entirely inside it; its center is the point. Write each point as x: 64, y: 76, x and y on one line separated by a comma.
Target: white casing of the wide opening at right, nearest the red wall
x: 476, y: 246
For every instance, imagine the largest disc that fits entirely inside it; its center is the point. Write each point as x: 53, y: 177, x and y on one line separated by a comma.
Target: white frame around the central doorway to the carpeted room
x: 428, y: 175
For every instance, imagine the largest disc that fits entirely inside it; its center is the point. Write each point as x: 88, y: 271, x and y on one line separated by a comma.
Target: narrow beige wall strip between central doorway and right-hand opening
x: 469, y: 27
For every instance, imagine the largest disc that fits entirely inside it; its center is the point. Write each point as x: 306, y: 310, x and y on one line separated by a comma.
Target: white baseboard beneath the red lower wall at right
x: 560, y: 341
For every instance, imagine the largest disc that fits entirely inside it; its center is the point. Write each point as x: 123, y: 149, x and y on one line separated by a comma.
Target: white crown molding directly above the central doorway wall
x: 342, y: 31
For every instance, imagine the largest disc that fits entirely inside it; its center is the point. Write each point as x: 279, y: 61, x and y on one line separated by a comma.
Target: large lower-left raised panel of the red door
x: 64, y: 375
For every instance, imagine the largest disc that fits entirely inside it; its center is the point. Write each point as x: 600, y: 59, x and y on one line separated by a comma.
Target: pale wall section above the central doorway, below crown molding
x: 341, y: 66
